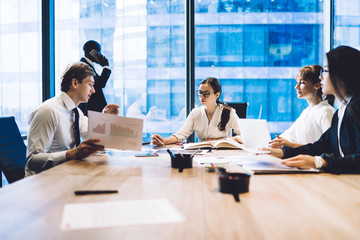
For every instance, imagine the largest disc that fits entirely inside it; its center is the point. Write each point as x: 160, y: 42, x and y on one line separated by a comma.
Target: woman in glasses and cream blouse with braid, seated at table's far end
x: 213, y: 120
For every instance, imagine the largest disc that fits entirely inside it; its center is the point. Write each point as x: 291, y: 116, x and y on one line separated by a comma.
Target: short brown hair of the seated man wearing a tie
x: 78, y: 70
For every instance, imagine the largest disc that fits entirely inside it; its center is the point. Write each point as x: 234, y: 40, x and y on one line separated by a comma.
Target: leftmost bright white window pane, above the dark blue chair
x: 20, y: 59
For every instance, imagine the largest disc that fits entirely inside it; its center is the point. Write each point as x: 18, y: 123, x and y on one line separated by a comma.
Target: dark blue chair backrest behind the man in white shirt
x: 12, y: 150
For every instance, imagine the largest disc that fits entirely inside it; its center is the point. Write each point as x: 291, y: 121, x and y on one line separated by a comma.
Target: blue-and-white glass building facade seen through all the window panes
x: 254, y: 47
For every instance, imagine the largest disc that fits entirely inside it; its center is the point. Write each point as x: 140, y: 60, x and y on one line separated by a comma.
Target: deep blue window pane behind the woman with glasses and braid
x: 255, y: 49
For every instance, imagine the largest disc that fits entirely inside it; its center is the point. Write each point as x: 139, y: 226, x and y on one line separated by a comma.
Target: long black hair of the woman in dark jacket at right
x: 344, y: 66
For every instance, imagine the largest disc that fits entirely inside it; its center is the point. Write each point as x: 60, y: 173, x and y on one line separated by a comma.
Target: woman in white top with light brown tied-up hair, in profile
x: 315, y: 119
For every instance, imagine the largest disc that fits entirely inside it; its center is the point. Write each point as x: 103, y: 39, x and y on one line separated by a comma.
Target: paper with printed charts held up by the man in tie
x: 116, y: 132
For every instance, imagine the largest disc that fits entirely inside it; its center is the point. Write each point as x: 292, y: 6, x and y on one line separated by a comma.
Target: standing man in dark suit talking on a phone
x: 92, y: 51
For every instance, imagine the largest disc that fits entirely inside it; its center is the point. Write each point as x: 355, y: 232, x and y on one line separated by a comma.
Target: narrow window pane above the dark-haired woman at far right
x: 347, y: 23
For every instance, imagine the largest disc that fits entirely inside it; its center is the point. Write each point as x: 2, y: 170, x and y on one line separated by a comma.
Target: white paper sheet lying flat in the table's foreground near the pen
x: 116, y: 214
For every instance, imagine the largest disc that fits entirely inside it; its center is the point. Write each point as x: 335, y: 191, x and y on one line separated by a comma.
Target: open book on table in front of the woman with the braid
x: 223, y: 143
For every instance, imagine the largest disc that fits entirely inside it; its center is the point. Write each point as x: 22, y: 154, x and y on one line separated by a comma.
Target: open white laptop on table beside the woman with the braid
x: 254, y: 132
